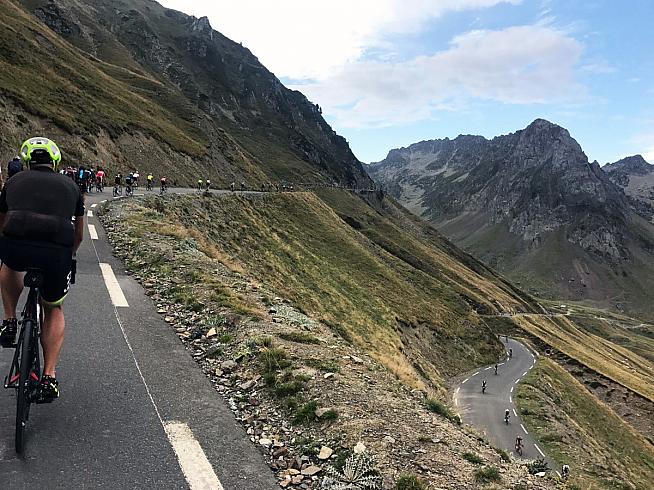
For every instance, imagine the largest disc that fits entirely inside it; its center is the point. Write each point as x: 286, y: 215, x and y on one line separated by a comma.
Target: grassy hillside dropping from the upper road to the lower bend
x: 402, y: 297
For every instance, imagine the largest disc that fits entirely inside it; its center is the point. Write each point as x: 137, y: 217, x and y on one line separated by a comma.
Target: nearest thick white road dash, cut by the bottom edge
x: 195, y: 465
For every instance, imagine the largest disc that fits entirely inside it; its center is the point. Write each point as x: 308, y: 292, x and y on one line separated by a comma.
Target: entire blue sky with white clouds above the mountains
x: 389, y: 73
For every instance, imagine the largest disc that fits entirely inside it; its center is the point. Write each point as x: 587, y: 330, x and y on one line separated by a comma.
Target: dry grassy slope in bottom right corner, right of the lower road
x: 602, y: 450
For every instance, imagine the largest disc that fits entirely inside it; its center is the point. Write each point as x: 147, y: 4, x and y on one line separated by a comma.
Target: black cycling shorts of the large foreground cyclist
x: 55, y: 262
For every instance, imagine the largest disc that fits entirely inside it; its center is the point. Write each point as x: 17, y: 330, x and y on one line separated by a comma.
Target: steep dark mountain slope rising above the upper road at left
x: 131, y: 83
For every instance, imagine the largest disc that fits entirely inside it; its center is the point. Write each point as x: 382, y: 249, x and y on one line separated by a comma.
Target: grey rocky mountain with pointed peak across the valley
x: 532, y: 205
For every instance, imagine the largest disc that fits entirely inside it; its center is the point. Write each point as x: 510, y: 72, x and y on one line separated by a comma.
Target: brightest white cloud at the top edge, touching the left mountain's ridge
x: 303, y: 39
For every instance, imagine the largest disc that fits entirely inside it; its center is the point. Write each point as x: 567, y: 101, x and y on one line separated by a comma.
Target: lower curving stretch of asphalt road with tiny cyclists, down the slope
x: 486, y: 411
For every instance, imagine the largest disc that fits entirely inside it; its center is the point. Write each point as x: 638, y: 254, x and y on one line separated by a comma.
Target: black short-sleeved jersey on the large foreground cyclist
x: 39, y: 206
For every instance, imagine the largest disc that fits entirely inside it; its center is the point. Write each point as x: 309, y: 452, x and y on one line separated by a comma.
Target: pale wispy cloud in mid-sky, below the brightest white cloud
x: 518, y: 65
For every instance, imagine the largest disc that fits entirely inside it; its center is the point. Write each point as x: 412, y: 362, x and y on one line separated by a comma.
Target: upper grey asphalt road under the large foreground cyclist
x: 135, y: 411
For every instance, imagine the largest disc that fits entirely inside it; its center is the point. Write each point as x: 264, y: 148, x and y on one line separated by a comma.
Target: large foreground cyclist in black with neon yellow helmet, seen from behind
x: 37, y: 208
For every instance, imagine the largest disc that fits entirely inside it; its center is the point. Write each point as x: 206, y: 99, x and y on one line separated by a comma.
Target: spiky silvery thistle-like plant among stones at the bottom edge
x: 358, y: 473
